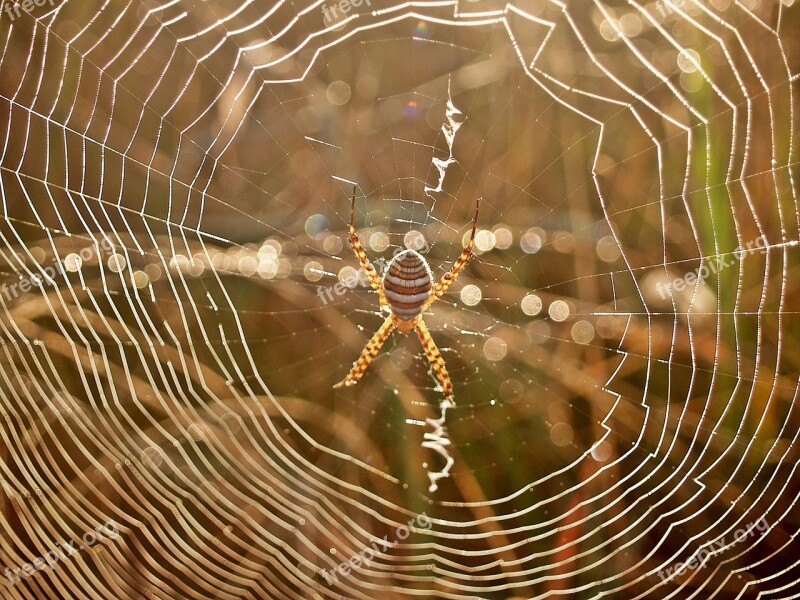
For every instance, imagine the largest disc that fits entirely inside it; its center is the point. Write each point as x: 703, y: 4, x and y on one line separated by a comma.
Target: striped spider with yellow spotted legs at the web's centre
x: 405, y: 292
